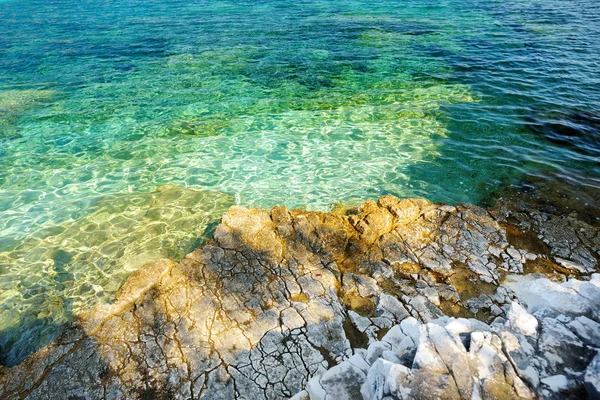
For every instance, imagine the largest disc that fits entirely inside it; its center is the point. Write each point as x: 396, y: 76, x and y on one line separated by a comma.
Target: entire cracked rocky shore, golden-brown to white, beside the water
x: 280, y: 298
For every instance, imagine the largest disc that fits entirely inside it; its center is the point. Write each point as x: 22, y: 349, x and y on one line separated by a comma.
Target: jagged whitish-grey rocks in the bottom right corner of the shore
x: 523, y: 356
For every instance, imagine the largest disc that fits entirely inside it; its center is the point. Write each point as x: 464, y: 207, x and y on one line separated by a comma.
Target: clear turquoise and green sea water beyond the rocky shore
x: 305, y: 104
